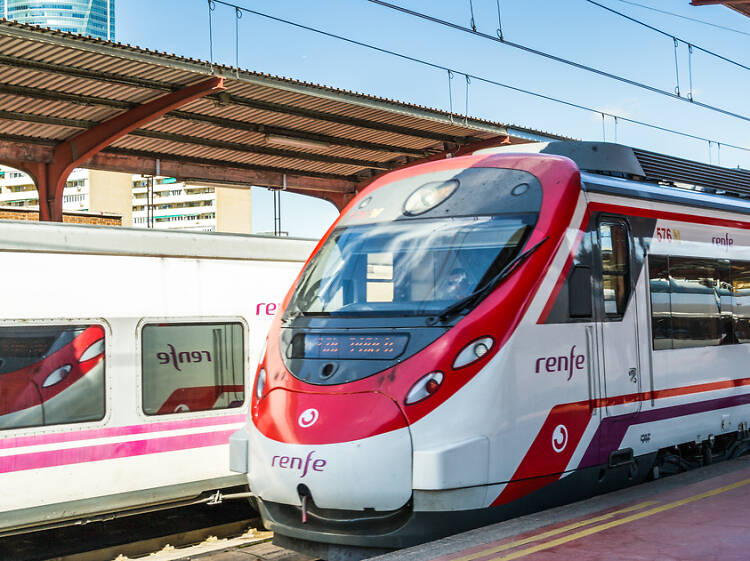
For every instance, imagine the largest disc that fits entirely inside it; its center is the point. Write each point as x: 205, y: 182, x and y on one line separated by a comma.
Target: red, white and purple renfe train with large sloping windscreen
x: 481, y: 337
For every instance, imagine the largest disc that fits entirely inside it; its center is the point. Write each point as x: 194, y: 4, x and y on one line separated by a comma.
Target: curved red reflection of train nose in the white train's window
x: 23, y: 388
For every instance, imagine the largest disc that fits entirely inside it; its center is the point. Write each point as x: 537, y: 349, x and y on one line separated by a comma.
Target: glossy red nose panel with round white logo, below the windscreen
x: 341, y: 417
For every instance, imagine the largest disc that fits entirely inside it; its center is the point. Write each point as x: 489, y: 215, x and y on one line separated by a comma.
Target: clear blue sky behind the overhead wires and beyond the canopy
x: 576, y: 30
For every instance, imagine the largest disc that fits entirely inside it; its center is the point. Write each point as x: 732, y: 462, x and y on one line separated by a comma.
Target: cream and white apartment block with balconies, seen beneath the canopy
x: 141, y: 201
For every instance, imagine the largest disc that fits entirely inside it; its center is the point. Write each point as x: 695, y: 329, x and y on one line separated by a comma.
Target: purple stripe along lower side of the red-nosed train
x: 611, y: 431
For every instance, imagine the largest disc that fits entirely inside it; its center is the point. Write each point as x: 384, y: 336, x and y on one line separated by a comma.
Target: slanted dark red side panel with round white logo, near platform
x: 542, y: 464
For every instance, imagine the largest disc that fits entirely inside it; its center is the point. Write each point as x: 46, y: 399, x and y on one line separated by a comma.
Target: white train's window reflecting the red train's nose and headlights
x: 51, y: 375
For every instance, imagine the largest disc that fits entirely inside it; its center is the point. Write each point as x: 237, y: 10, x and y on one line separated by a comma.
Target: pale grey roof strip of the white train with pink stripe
x: 115, y: 240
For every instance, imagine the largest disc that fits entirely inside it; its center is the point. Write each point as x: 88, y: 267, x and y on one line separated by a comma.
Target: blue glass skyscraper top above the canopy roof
x: 87, y: 17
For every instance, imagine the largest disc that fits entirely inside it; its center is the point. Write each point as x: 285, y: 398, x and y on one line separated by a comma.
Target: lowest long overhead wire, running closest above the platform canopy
x: 470, y: 76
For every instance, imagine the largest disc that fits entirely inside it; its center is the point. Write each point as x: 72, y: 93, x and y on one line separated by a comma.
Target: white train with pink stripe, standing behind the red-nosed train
x: 126, y: 362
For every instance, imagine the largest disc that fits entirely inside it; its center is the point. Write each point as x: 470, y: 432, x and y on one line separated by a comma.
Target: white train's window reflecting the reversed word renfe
x: 192, y: 367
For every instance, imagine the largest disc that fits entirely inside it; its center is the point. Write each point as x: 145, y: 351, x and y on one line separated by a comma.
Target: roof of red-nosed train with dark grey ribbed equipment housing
x: 622, y: 170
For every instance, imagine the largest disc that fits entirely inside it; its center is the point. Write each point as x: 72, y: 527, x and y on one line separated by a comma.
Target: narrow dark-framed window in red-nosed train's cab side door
x: 615, y: 255
